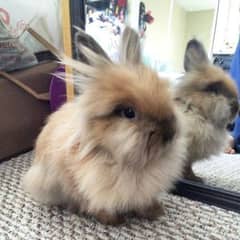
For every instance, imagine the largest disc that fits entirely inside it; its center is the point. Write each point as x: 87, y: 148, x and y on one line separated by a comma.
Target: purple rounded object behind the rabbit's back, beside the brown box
x: 58, y: 95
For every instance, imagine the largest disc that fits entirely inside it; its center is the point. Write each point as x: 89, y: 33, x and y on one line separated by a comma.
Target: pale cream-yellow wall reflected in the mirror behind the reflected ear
x: 185, y: 26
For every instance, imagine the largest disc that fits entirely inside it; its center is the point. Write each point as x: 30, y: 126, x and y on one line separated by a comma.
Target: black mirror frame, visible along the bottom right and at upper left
x: 195, y: 191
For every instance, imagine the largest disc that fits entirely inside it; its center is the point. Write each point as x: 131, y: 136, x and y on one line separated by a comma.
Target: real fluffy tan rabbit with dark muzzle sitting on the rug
x: 113, y: 149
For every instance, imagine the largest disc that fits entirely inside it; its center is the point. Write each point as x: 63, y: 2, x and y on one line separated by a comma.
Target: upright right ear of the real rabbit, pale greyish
x: 130, y: 47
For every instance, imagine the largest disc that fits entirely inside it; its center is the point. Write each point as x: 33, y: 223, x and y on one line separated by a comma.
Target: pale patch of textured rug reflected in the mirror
x: 222, y: 171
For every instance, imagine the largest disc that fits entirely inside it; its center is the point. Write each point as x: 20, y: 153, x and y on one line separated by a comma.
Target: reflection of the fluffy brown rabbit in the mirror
x: 208, y: 98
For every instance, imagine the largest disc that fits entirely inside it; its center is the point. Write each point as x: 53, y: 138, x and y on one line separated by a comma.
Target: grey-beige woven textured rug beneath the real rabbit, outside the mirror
x: 22, y: 218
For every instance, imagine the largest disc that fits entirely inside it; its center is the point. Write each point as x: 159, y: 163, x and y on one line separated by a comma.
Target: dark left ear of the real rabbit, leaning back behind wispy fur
x: 83, y: 39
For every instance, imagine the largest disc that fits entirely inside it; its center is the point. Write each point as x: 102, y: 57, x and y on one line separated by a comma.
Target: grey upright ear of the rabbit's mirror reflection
x: 195, y: 56
